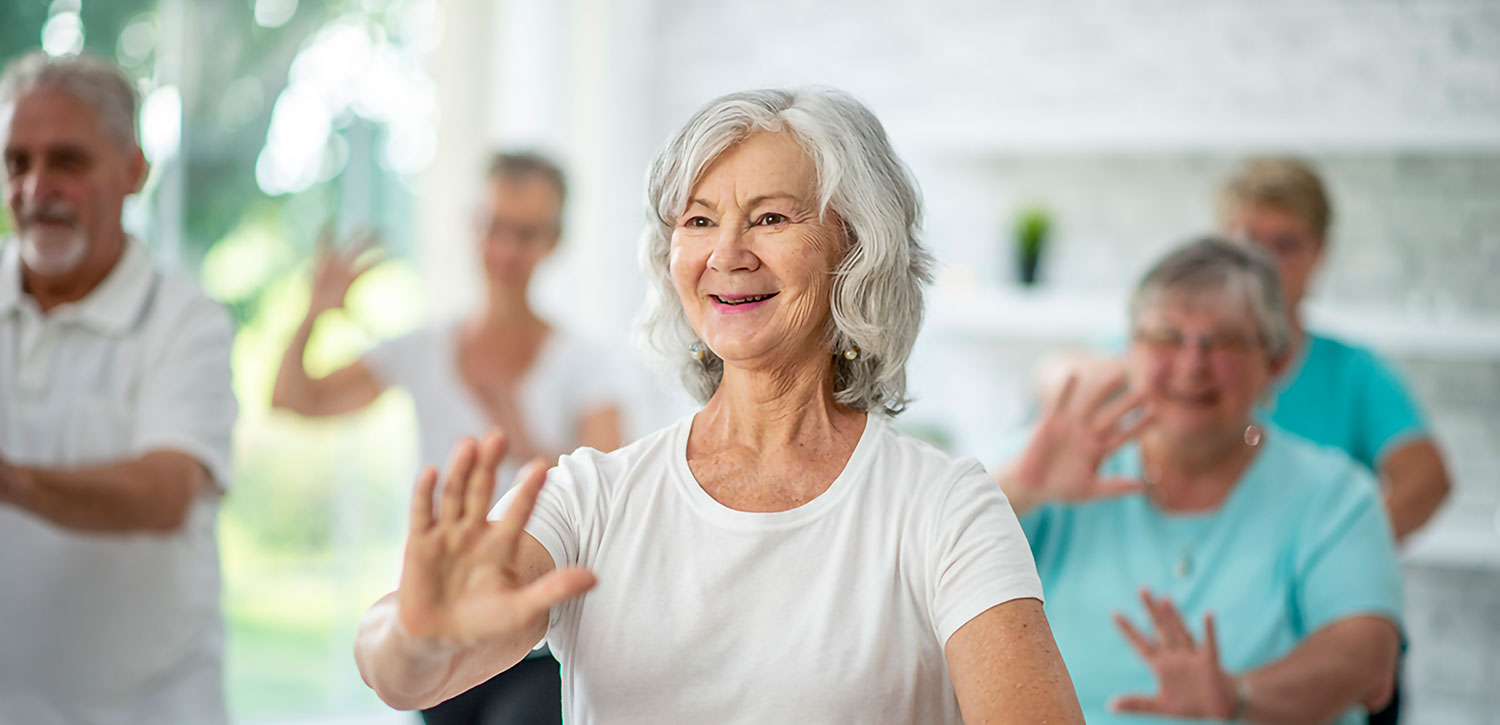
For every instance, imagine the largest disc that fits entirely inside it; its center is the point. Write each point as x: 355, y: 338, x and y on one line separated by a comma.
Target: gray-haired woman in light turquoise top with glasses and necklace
x: 1279, y: 547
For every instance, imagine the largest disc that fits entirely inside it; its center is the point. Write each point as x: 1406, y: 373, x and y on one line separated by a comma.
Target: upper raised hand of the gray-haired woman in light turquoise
x: 1075, y: 436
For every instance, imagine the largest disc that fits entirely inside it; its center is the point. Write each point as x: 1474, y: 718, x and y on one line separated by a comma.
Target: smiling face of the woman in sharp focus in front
x: 751, y: 259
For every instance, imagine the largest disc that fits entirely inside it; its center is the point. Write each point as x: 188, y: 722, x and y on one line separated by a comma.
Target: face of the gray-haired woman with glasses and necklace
x: 1202, y: 362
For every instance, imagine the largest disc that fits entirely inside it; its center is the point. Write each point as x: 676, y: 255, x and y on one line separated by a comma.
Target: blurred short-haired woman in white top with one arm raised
x: 502, y: 367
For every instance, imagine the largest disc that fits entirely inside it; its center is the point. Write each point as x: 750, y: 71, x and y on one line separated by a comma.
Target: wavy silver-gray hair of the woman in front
x: 877, y: 293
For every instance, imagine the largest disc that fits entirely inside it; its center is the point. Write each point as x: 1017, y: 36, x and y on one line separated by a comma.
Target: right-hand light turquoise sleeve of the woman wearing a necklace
x: 1345, y: 559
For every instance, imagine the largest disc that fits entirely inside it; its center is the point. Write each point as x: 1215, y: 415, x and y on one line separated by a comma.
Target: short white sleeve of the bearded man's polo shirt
x: 187, y: 399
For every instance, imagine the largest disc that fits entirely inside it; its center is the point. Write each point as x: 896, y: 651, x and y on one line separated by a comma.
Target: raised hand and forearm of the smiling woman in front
x: 475, y: 594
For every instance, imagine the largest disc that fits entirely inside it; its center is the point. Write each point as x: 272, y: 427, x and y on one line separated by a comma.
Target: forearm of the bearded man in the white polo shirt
x: 152, y: 493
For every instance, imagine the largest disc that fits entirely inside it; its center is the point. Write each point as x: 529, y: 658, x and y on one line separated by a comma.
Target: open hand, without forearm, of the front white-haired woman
x: 461, y: 582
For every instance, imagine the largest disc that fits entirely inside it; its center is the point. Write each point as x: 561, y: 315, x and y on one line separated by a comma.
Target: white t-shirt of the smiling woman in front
x: 835, y: 612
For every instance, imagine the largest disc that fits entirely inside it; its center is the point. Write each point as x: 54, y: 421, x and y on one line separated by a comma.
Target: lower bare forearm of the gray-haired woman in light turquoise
x: 1345, y: 666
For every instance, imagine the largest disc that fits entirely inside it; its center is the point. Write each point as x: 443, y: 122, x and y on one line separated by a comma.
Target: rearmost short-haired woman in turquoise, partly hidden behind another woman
x: 1333, y: 393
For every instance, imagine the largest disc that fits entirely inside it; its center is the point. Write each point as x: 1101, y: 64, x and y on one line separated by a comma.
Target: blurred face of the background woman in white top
x: 517, y: 229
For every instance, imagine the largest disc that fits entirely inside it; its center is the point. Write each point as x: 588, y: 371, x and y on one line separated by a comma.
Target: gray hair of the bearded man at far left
x: 94, y: 82
